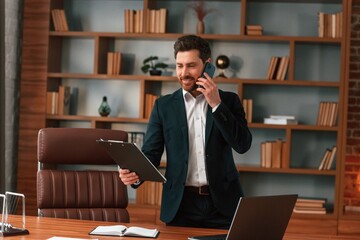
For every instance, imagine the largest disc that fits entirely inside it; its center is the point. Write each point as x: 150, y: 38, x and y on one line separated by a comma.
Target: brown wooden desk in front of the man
x: 43, y: 228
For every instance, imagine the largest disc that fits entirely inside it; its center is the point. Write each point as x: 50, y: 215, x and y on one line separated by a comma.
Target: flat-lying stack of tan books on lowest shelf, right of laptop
x: 310, y: 206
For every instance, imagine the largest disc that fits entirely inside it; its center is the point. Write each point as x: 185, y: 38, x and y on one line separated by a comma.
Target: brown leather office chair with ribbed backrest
x: 79, y: 194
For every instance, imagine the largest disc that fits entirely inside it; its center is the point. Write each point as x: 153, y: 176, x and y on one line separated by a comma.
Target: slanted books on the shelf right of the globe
x: 278, y: 67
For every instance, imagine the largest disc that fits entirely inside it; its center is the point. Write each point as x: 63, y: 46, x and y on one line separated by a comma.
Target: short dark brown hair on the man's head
x: 190, y: 42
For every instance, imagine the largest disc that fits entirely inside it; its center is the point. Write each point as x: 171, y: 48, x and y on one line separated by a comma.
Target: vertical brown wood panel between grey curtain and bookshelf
x: 32, y: 95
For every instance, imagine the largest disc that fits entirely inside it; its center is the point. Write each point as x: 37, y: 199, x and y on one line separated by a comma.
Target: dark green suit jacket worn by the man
x: 226, y: 129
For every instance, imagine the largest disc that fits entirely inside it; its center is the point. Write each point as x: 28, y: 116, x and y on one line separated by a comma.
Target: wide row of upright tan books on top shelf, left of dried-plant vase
x: 155, y: 21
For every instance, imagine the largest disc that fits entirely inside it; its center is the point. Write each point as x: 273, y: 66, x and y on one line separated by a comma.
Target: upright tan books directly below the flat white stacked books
x: 273, y: 154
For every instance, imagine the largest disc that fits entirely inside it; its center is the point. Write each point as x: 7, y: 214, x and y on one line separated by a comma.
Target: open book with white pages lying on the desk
x: 121, y: 230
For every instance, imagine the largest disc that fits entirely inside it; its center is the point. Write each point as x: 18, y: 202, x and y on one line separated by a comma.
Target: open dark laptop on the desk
x: 259, y: 217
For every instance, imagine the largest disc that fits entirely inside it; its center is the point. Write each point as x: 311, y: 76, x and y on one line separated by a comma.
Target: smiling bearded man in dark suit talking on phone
x: 198, y: 126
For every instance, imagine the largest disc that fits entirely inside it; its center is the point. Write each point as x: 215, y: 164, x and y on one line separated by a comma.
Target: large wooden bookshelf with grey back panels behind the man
x: 315, y: 73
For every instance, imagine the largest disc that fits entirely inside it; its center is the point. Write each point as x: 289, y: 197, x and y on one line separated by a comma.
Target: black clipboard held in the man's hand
x: 129, y: 156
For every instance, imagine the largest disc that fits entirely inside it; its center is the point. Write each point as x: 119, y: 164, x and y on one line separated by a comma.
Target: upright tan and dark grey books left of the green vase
x: 62, y: 102
